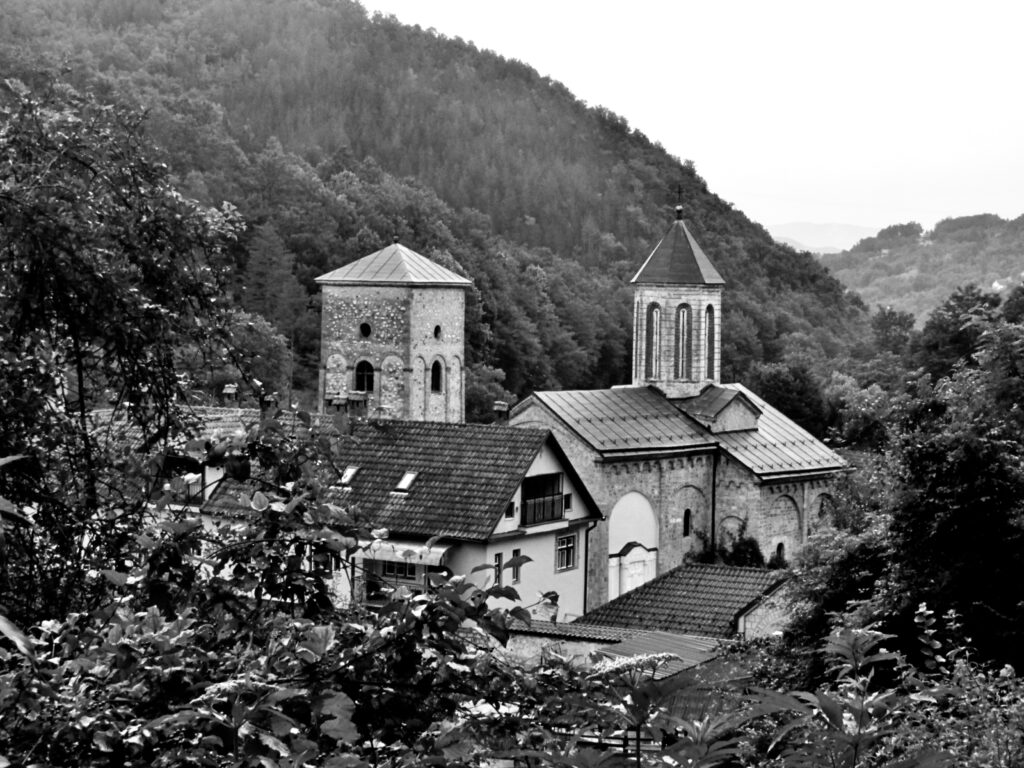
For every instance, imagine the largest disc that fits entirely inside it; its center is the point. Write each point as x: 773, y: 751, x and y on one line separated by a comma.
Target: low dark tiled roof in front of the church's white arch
x: 693, y: 600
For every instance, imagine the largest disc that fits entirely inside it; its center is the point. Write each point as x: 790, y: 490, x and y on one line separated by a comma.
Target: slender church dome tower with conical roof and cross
x: 677, y: 317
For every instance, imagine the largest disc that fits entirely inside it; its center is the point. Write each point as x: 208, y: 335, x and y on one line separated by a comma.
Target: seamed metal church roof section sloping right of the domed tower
x: 779, y: 447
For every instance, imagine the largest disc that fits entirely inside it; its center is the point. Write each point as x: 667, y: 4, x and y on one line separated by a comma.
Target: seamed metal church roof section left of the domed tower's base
x: 626, y: 419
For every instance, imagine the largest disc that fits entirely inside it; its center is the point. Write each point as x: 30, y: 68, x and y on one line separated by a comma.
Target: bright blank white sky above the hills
x: 860, y: 113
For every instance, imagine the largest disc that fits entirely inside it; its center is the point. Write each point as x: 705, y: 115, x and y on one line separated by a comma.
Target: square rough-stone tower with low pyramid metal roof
x: 394, y: 338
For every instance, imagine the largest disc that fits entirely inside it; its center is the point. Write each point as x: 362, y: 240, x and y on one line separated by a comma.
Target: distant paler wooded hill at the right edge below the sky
x: 915, y: 272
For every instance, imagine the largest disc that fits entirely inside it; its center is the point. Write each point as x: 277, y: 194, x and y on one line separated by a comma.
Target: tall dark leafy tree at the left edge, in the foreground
x: 105, y: 273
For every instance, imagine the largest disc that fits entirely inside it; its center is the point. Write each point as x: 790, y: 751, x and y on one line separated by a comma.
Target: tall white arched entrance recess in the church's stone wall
x: 632, y: 544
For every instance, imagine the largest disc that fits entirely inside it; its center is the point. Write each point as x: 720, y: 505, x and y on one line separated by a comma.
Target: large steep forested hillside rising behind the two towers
x: 334, y: 133
